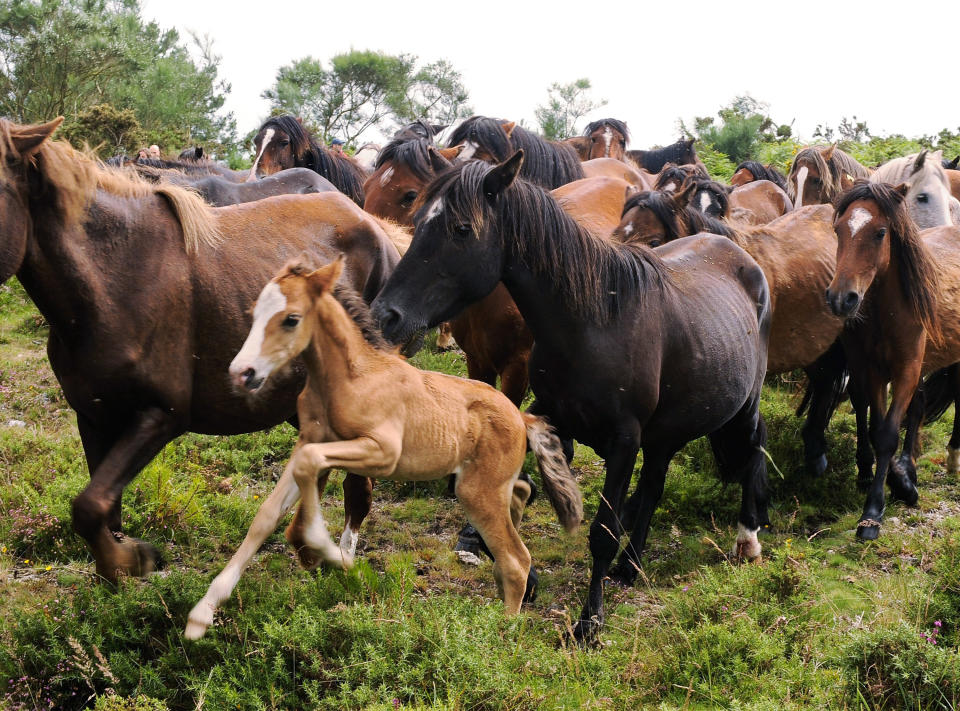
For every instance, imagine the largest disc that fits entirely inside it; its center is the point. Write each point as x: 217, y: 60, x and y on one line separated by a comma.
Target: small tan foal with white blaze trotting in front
x: 368, y: 410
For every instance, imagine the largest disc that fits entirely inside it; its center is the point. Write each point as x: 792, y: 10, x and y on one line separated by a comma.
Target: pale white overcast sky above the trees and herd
x: 891, y: 64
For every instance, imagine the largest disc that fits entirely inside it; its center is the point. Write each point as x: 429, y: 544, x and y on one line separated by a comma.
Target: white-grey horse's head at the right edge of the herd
x: 928, y: 200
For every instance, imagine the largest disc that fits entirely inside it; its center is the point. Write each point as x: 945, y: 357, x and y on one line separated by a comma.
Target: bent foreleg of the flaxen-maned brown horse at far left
x: 98, y: 503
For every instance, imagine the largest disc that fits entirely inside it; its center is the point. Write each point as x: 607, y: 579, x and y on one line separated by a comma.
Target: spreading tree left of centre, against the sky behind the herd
x: 365, y: 89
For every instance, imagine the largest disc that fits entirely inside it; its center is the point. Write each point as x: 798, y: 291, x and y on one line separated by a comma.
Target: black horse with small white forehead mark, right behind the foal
x: 632, y: 349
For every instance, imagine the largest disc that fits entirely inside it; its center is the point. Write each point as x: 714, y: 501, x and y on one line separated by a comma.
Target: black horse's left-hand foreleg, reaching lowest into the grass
x: 605, y: 534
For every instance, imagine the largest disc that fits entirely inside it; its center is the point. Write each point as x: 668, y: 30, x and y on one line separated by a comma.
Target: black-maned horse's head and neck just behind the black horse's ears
x: 548, y: 164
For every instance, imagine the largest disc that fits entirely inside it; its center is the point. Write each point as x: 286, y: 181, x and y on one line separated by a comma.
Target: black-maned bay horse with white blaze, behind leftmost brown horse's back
x: 282, y: 142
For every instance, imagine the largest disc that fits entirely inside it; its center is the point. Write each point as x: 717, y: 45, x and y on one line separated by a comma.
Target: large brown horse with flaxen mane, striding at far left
x: 146, y: 290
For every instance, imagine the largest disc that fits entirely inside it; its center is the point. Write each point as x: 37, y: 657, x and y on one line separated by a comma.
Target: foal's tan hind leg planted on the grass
x: 490, y: 512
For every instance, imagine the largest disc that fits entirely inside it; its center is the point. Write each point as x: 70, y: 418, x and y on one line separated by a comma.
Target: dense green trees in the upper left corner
x: 63, y: 57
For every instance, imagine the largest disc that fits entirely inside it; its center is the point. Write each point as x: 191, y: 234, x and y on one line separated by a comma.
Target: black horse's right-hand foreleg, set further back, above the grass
x: 639, y: 510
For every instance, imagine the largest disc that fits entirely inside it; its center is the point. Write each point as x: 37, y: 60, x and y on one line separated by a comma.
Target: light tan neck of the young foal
x: 337, y: 350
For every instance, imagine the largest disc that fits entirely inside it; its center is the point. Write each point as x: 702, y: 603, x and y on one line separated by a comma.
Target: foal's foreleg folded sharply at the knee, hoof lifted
x: 364, y: 454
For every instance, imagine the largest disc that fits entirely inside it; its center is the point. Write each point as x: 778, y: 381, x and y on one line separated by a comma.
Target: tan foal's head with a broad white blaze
x: 282, y: 322
